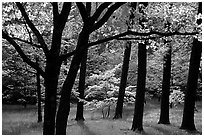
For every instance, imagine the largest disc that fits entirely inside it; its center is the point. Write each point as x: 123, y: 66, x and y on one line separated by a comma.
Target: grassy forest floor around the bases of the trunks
x: 17, y: 120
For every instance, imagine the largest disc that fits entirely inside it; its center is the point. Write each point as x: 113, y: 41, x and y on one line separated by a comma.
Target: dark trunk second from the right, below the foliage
x: 164, y: 111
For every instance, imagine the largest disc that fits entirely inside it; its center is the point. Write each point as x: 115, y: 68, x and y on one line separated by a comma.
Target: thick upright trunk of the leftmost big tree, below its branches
x: 51, y: 80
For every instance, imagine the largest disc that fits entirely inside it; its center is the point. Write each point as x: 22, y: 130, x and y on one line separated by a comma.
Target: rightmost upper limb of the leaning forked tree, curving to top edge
x: 107, y: 15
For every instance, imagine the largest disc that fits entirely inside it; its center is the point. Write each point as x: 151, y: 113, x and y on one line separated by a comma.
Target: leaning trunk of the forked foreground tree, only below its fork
x: 64, y: 105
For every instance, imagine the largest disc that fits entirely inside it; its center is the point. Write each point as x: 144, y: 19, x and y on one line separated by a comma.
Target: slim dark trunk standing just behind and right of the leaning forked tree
x: 80, y: 108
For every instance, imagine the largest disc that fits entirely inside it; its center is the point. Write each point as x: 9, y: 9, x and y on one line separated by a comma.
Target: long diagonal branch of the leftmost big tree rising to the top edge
x: 33, y: 28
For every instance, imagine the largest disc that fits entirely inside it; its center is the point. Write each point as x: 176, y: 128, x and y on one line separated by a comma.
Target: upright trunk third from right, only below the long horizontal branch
x: 140, y: 93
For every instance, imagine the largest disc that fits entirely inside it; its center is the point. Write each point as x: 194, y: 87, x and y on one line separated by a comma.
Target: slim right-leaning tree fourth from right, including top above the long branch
x: 125, y: 67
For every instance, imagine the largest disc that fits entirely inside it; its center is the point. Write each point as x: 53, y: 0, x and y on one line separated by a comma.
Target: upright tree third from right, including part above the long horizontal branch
x: 137, y: 123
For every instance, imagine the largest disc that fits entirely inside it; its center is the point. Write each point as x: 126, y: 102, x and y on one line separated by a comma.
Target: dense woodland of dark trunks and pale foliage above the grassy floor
x: 98, y: 54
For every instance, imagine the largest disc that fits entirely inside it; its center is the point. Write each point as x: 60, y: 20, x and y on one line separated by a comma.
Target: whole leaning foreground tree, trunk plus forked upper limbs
x: 90, y: 24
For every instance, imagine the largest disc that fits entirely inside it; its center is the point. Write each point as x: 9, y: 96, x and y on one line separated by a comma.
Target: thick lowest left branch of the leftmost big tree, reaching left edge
x: 22, y: 54
